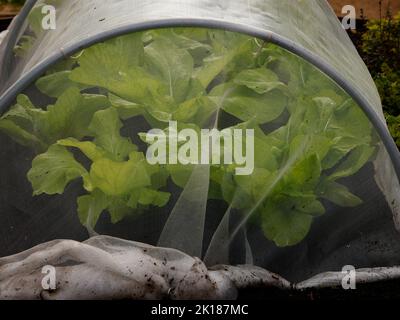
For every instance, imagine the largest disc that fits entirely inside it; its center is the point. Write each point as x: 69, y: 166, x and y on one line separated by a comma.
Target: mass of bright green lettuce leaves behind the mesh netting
x: 309, y: 135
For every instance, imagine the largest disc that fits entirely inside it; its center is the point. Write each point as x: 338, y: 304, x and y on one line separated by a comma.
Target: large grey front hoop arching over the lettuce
x: 9, y: 96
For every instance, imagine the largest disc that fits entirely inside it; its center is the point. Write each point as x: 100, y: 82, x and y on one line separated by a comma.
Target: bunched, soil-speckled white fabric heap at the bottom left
x: 110, y: 268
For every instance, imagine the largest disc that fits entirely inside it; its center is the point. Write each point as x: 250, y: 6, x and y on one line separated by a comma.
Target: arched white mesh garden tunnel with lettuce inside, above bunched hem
x: 79, y: 101
